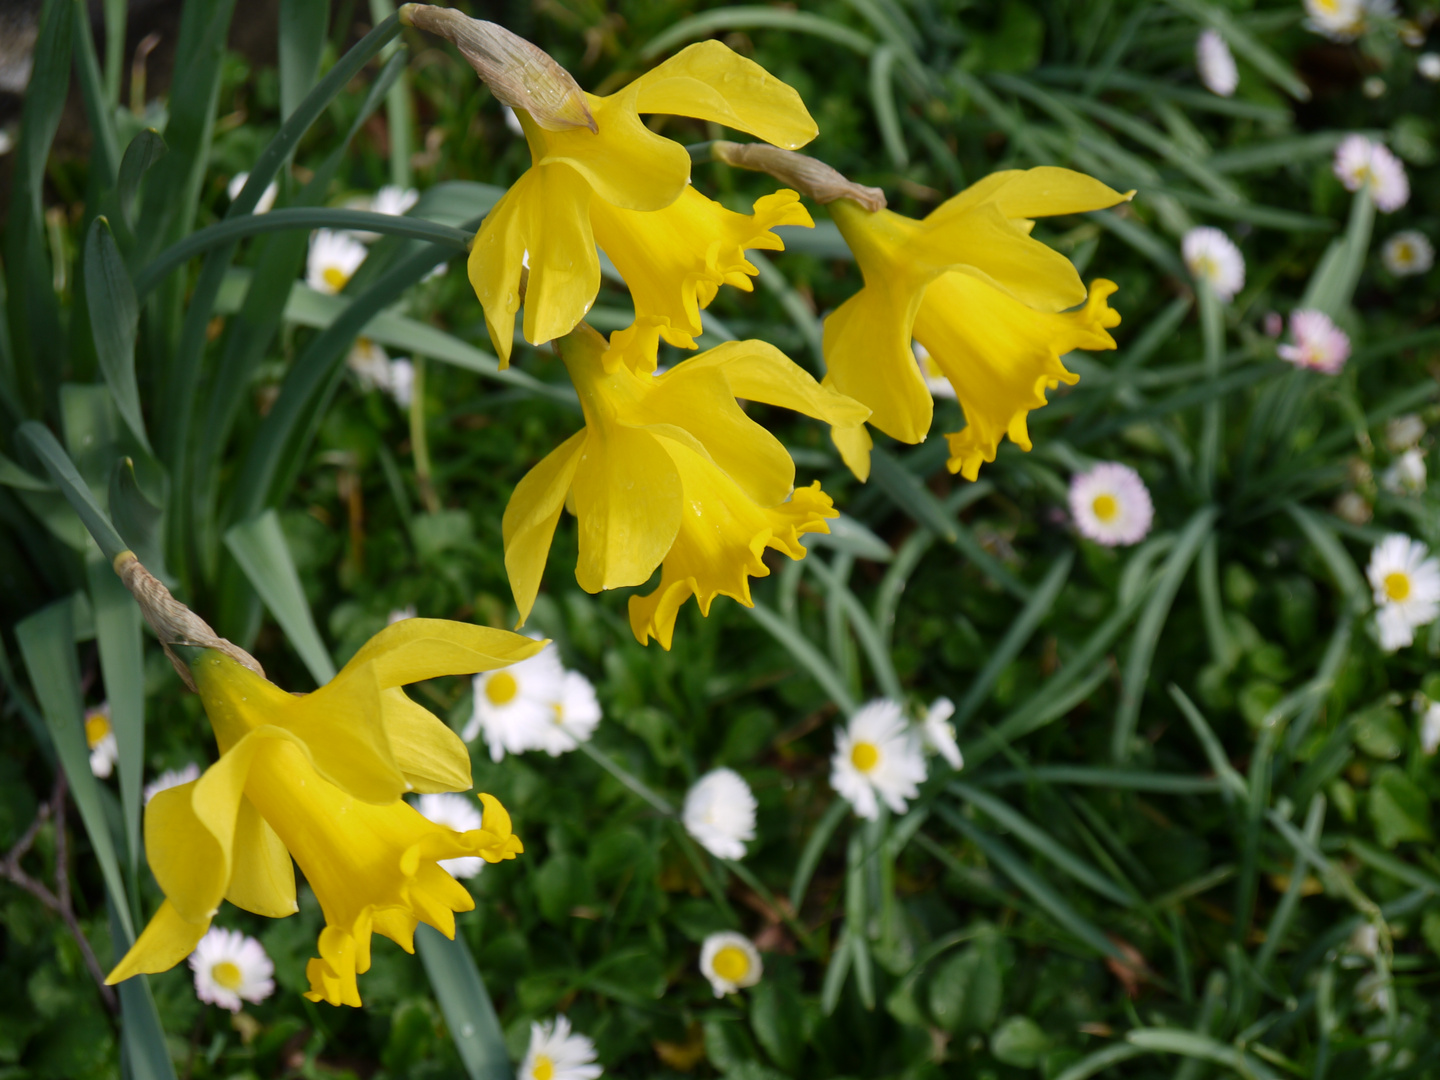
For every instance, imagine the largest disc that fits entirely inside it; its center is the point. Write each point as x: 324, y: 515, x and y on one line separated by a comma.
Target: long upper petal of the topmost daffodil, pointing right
x: 709, y: 81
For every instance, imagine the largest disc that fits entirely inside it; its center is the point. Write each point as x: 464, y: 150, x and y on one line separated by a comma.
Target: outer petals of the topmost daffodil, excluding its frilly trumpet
x: 545, y: 221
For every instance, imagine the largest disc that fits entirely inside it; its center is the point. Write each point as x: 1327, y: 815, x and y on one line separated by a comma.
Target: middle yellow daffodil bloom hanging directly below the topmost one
x: 670, y: 470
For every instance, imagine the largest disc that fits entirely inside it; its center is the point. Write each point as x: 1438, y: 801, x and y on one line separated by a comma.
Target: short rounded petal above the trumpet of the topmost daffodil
x: 626, y: 163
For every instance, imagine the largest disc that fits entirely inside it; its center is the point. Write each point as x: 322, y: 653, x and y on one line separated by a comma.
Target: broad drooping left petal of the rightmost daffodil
x: 869, y: 358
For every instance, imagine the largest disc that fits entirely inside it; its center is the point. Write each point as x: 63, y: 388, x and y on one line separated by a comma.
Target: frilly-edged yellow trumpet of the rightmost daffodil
x: 1002, y: 358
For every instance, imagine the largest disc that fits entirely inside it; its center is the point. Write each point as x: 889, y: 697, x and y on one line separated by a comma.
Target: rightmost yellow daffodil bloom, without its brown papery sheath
x: 990, y: 305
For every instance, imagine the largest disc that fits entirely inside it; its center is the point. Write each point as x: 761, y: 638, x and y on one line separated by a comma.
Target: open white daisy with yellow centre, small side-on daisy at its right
x: 878, y: 757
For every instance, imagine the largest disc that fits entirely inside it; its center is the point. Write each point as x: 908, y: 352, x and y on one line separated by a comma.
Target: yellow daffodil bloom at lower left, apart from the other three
x: 319, y: 778
